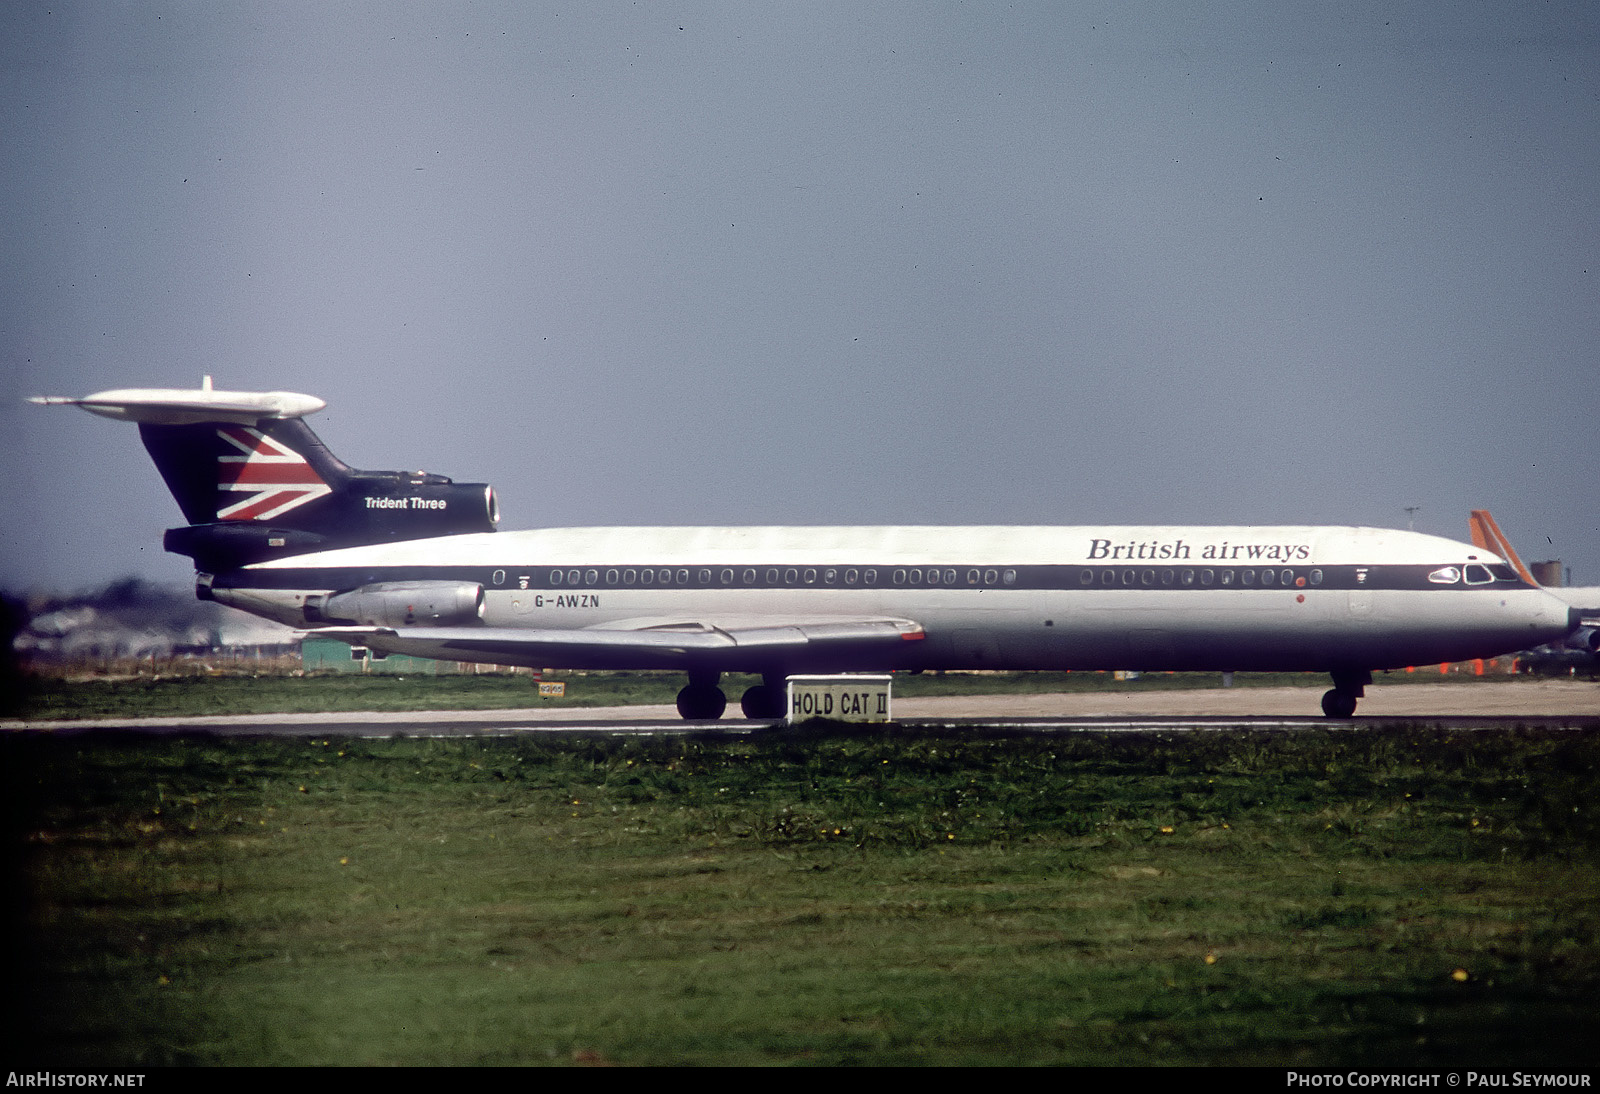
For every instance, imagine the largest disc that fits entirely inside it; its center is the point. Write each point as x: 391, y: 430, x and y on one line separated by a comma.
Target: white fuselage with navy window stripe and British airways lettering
x: 986, y: 597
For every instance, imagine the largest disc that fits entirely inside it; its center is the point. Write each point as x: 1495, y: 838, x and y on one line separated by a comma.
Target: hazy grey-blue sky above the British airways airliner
x: 726, y: 263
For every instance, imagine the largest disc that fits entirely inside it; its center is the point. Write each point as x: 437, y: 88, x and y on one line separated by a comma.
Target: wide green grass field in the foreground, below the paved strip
x: 807, y: 898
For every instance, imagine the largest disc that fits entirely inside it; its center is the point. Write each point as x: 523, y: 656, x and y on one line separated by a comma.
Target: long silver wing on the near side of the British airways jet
x: 754, y: 645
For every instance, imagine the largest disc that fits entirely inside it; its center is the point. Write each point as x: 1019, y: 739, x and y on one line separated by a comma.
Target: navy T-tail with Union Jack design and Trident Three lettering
x: 257, y: 484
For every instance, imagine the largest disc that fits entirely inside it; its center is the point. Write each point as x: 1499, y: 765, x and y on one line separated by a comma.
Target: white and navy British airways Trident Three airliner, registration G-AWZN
x: 412, y: 564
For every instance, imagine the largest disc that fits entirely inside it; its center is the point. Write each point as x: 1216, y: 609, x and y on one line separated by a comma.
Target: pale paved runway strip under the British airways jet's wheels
x: 1550, y: 705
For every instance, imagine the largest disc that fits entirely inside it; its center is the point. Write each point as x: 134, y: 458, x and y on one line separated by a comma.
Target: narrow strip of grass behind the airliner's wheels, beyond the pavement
x: 193, y: 697
